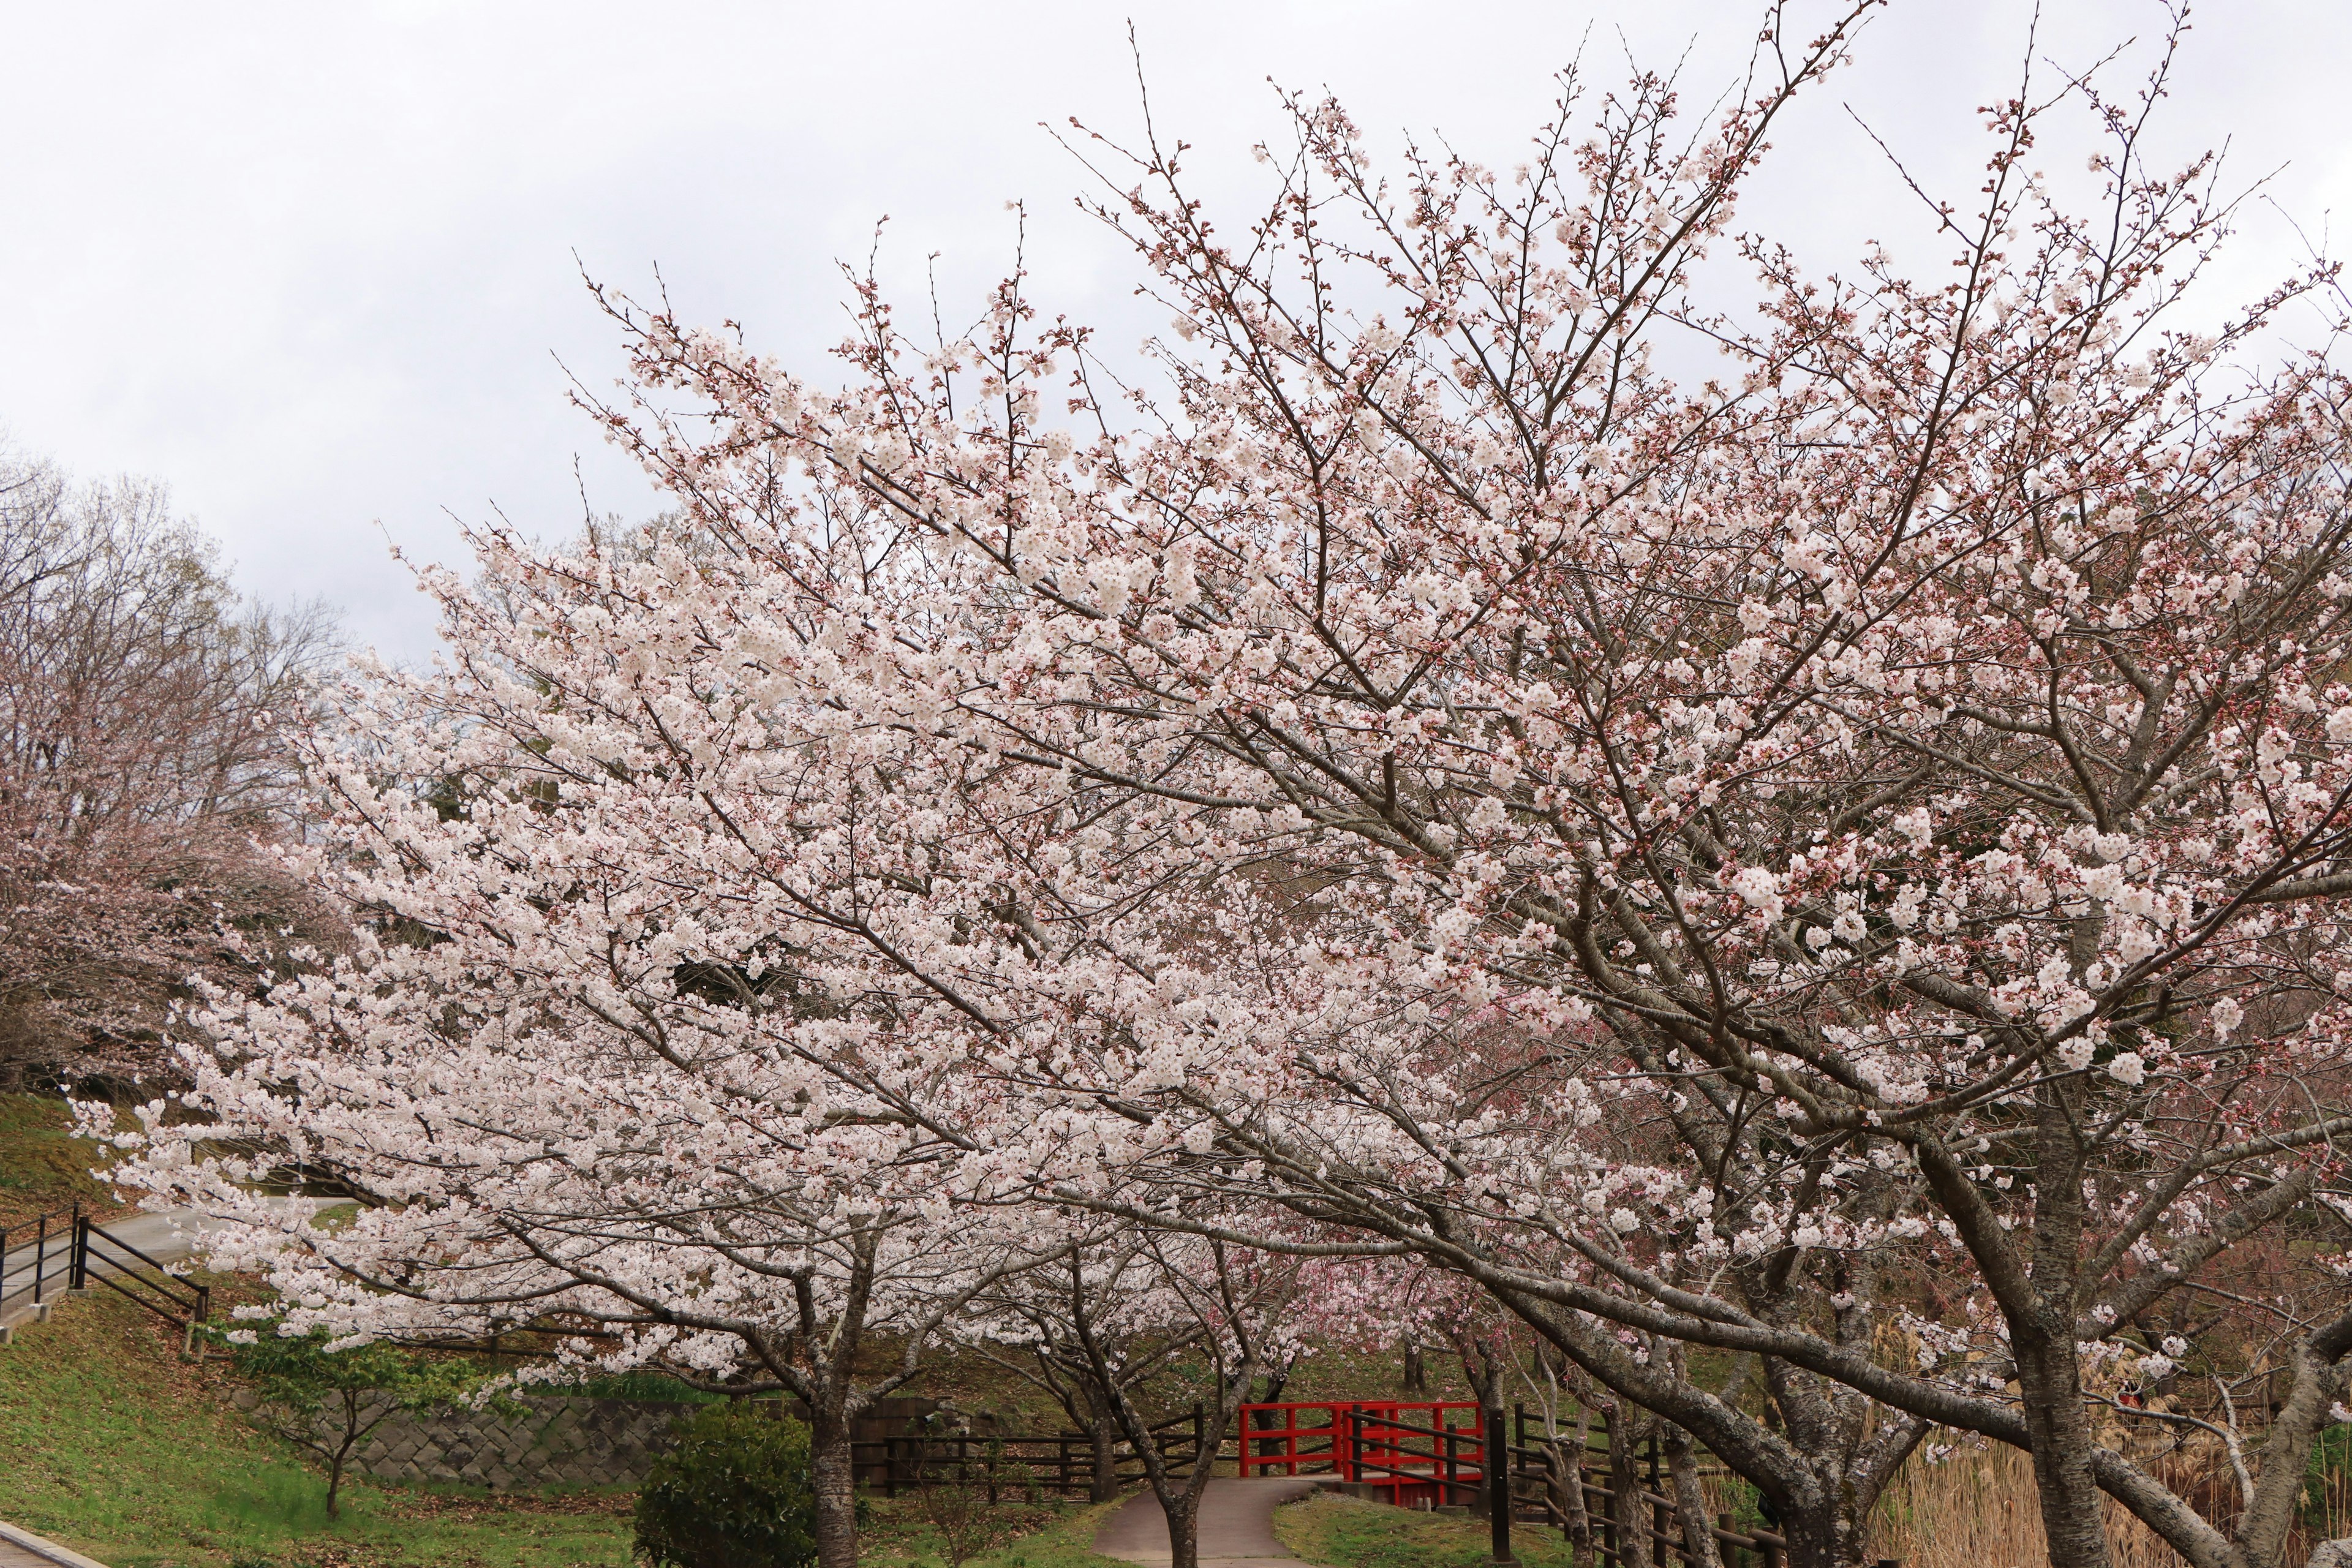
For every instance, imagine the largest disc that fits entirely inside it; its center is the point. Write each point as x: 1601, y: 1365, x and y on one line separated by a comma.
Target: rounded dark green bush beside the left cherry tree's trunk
x: 733, y: 1494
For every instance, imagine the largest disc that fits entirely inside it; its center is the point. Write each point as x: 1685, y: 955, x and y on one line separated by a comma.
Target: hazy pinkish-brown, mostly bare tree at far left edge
x: 138, y: 775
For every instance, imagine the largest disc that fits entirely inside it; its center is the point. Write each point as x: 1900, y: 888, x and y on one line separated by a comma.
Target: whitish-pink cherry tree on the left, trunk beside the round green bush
x: 653, y: 1036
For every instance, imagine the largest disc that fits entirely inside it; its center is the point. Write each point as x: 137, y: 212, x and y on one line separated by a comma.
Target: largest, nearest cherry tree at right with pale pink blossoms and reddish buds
x: 1716, y: 862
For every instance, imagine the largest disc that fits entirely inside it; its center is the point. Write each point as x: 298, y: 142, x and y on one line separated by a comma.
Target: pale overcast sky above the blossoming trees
x: 319, y: 267
